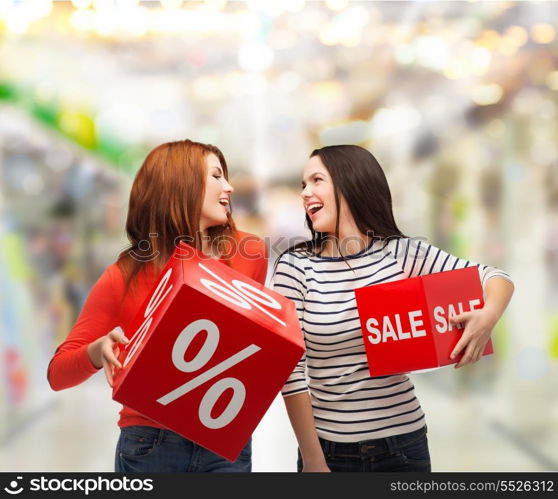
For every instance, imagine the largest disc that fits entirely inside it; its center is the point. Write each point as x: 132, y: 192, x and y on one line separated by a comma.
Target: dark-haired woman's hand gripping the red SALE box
x: 478, y: 327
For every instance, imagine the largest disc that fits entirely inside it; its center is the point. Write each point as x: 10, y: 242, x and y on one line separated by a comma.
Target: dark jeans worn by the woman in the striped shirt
x: 407, y: 452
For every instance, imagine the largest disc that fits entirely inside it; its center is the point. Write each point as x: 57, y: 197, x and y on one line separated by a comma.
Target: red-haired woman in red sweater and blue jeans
x: 181, y: 192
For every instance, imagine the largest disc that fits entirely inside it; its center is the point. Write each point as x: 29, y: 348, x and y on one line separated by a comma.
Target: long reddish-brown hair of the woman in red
x: 165, y: 206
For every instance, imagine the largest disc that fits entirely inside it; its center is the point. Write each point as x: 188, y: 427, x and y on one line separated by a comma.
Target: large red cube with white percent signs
x: 209, y: 351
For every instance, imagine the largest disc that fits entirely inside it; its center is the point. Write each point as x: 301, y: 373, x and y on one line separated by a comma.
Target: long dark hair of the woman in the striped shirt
x: 359, y: 179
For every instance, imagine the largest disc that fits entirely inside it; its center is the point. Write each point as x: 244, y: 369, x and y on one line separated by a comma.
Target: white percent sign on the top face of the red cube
x: 242, y: 294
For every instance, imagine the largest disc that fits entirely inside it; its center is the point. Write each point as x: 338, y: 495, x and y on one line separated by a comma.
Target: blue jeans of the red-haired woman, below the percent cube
x: 146, y: 449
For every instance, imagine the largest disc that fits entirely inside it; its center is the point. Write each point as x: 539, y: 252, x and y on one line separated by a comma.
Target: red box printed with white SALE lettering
x: 405, y: 323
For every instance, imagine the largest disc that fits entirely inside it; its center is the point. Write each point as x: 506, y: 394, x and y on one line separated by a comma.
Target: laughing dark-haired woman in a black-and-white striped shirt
x: 343, y: 419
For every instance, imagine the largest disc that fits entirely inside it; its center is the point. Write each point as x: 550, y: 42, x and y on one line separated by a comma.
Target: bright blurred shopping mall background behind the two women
x: 458, y: 100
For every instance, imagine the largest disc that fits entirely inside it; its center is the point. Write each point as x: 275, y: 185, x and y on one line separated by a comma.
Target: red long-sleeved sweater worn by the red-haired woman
x: 104, y: 310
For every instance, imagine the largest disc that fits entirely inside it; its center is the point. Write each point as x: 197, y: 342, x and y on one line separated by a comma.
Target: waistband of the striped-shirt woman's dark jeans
x: 373, y: 446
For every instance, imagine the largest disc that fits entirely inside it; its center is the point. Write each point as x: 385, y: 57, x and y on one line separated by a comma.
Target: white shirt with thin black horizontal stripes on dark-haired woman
x: 348, y: 404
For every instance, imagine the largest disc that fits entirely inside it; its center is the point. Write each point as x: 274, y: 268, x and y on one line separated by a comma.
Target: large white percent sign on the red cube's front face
x: 207, y: 350
